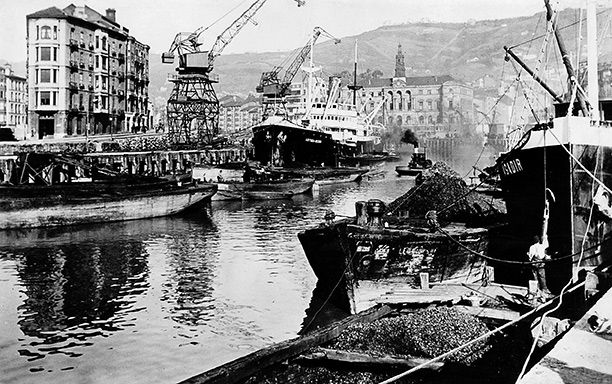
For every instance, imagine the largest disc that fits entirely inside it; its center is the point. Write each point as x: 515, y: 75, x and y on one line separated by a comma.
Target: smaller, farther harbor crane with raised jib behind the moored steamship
x: 275, y: 89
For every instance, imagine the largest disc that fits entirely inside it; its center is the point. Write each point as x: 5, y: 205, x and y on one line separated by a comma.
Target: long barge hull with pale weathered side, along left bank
x: 32, y: 206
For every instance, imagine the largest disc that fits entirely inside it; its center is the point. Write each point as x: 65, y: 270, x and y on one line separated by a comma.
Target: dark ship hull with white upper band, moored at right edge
x: 575, y: 222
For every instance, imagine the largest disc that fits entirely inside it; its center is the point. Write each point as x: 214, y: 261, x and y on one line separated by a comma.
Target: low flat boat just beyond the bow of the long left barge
x: 262, y: 190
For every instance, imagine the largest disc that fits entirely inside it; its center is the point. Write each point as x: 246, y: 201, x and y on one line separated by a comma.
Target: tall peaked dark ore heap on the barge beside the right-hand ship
x: 442, y: 189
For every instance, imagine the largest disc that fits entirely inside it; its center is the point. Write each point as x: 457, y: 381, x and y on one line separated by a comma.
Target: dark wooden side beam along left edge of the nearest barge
x: 246, y: 366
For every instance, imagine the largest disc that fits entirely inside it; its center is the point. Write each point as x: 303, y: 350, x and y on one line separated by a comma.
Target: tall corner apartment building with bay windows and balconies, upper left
x: 86, y: 74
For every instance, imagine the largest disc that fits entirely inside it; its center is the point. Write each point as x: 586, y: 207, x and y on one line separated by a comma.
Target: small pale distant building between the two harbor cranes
x: 236, y: 114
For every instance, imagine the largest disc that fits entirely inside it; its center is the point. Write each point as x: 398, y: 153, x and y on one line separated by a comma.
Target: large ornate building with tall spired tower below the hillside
x: 427, y: 104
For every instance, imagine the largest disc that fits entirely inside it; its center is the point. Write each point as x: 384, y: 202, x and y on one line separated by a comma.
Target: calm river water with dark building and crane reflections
x: 164, y: 299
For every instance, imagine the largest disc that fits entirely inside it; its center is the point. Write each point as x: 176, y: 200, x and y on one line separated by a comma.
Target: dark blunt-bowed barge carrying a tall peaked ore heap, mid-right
x: 403, y: 240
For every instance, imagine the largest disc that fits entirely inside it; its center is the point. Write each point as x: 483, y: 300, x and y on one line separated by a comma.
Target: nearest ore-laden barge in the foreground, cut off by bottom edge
x: 406, y: 330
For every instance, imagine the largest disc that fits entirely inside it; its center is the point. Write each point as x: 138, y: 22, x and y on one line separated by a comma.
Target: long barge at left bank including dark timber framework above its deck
x: 46, y: 192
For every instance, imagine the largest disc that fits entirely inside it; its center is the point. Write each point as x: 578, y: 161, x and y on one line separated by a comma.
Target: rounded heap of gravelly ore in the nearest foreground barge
x: 427, y: 333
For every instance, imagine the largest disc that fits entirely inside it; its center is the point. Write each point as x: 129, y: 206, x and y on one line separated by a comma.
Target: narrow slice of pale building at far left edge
x: 13, y: 102
